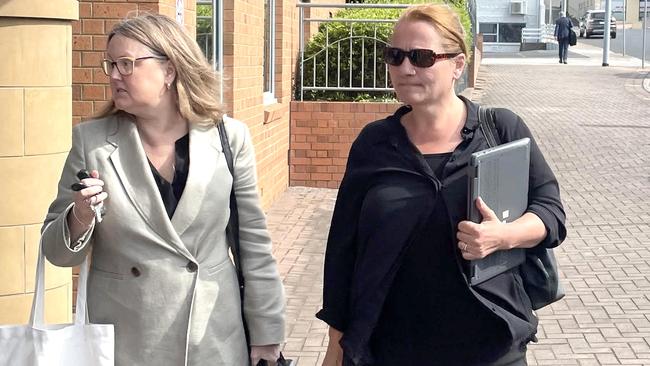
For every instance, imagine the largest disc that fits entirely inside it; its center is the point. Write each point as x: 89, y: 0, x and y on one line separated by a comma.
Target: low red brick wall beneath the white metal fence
x: 321, y: 136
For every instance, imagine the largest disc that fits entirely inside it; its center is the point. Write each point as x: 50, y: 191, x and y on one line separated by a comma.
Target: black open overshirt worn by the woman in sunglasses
x: 366, y: 236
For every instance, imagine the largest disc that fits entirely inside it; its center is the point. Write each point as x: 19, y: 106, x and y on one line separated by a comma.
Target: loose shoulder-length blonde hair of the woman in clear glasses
x: 197, y: 85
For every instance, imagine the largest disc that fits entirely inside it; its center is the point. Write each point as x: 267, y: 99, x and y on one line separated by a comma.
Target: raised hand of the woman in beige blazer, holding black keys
x: 82, y: 214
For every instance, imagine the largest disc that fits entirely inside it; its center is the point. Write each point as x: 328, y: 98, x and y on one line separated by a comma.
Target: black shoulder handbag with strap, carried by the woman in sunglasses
x: 539, y: 271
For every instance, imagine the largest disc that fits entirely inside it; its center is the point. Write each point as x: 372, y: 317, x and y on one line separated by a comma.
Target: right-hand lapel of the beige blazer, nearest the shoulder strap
x: 205, y: 151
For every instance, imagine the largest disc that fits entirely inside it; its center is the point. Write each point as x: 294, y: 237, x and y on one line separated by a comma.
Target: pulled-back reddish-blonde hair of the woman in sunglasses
x: 444, y: 19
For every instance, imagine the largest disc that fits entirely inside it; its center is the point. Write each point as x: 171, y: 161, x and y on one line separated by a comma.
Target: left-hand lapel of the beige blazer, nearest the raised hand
x: 132, y: 168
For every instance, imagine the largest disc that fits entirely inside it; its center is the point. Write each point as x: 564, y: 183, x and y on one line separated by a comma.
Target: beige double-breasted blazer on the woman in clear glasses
x: 169, y: 286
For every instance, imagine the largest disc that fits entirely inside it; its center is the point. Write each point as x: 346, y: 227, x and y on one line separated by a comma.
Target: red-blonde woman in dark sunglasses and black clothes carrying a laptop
x: 395, y: 290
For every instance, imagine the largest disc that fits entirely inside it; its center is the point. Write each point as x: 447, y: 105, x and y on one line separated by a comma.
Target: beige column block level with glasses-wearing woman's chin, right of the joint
x: 47, y: 129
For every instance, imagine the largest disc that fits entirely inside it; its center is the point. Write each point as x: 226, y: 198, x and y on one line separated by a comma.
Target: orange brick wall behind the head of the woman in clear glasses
x: 90, y: 88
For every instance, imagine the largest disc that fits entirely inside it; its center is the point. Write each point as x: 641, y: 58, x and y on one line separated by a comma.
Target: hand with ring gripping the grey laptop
x: 477, y: 241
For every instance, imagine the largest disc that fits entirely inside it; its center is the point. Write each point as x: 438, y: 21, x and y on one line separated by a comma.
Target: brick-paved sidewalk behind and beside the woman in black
x: 593, y: 124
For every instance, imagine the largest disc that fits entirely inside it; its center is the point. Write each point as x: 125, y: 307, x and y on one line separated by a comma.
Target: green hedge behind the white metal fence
x: 354, y: 72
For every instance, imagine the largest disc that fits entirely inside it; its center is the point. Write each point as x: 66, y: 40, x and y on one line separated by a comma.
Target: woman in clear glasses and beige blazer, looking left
x: 161, y: 270
